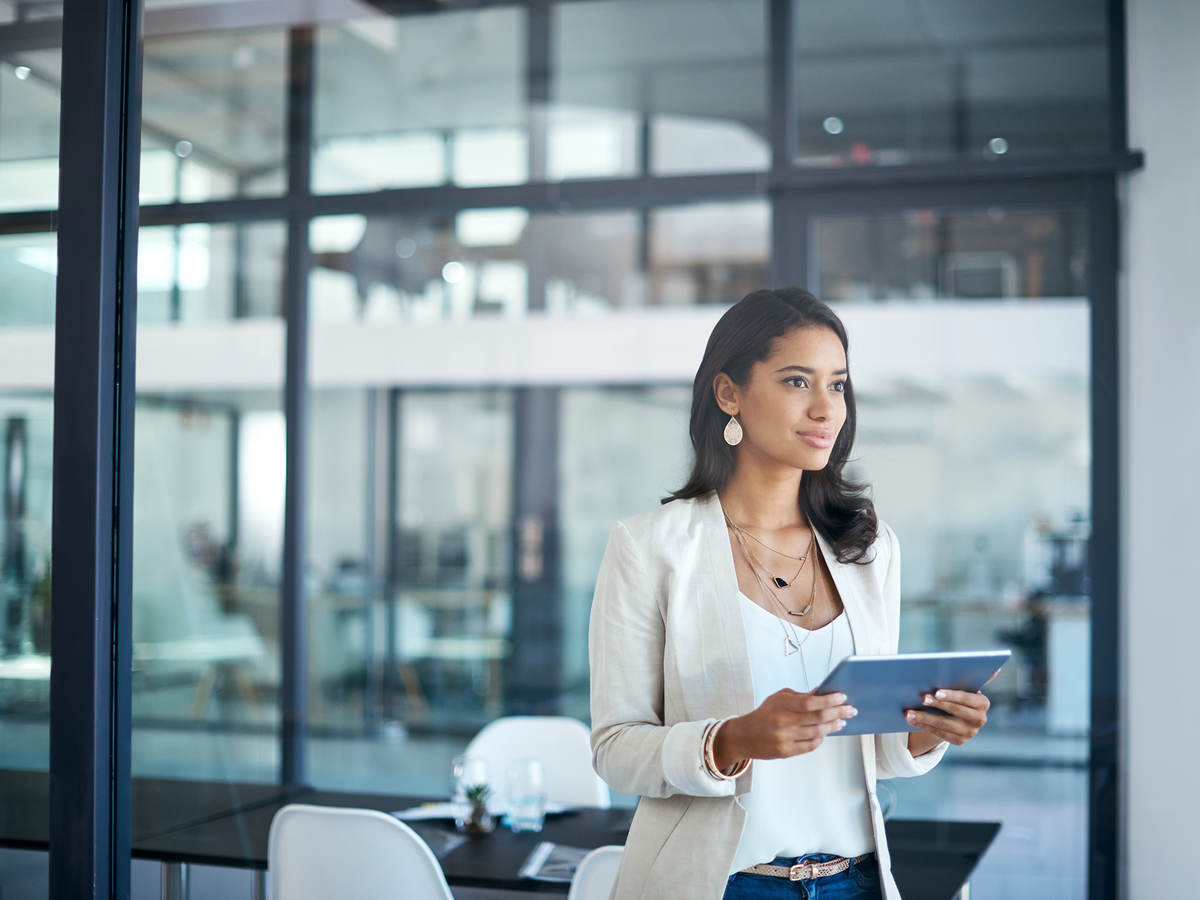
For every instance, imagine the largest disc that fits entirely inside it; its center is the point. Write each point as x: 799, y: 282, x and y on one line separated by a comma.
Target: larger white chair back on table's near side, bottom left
x: 321, y: 853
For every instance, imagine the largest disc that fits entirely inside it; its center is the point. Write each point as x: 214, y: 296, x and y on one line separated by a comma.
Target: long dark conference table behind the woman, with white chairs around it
x: 182, y: 824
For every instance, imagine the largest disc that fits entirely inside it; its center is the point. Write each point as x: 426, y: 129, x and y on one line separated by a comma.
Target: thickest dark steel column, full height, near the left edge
x: 93, y: 509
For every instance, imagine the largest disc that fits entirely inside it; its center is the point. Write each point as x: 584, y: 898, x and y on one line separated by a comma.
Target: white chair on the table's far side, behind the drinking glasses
x: 565, y: 747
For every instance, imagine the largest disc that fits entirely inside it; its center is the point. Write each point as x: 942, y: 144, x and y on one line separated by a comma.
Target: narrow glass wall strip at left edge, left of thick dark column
x: 29, y: 182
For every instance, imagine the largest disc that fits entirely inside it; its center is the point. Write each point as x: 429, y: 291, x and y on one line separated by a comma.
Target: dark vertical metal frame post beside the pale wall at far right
x: 1103, y: 551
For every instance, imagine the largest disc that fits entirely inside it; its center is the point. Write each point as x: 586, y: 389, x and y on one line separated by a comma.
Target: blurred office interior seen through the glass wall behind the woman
x: 507, y: 231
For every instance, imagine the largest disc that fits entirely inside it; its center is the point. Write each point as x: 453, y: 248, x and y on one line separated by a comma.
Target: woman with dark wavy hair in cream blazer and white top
x: 718, y: 614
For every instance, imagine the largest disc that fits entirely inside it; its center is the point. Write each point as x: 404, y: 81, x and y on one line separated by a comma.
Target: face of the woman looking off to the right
x: 794, y: 405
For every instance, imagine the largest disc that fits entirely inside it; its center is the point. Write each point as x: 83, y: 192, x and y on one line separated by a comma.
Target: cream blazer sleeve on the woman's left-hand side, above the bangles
x: 632, y: 748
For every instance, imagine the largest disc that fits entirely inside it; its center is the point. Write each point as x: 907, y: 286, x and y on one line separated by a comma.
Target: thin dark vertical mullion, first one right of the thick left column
x: 295, y: 694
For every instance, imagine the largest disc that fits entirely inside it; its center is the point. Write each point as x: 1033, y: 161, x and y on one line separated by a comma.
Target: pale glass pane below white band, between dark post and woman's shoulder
x: 608, y: 475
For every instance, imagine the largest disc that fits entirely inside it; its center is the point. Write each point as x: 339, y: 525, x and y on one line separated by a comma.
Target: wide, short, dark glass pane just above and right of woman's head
x: 969, y: 256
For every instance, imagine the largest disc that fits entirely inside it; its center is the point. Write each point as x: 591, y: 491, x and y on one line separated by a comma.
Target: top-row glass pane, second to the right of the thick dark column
x: 422, y: 100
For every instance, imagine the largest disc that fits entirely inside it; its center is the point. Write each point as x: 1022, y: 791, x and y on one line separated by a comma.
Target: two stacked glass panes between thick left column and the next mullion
x: 208, y: 493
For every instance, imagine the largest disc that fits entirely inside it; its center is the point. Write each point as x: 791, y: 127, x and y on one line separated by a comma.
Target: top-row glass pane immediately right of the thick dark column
x: 213, y: 116
